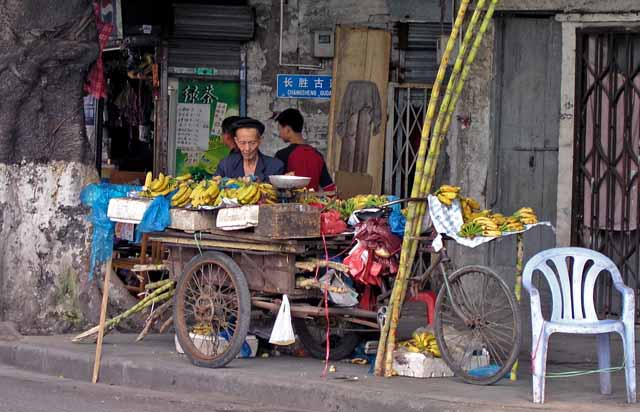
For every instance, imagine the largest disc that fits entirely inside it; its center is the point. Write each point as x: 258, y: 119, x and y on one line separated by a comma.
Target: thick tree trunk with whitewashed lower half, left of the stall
x: 46, y: 48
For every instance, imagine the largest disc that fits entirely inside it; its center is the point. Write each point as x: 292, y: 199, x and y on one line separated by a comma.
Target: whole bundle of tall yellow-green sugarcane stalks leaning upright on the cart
x: 426, y: 163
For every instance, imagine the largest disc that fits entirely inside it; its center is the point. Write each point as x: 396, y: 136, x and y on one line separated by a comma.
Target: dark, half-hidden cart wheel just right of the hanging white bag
x: 312, y: 334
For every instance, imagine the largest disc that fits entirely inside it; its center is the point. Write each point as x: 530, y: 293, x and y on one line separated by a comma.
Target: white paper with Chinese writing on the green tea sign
x: 192, y: 129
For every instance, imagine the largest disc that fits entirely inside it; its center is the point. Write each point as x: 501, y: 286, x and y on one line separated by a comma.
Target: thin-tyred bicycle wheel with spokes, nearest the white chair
x: 483, y: 346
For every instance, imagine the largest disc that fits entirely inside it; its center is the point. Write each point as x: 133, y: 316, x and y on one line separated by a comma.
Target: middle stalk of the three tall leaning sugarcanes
x: 439, y: 132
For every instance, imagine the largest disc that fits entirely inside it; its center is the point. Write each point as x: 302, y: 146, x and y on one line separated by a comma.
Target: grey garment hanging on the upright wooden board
x: 359, y: 118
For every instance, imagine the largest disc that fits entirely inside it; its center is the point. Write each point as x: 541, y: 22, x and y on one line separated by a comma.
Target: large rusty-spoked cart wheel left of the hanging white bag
x: 212, y: 310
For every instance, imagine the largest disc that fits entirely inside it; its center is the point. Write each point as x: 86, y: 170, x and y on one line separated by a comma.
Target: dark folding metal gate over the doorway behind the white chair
x: 606, y: 202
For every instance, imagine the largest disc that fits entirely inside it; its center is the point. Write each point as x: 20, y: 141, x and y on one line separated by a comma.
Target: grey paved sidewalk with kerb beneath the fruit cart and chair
x: 297, y: 382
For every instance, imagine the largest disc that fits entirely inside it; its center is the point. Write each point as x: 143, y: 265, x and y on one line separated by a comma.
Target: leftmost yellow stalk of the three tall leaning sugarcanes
x: 408, y: 240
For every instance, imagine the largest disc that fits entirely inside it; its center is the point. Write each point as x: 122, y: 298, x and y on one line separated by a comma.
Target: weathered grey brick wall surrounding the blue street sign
x: 301, y: 18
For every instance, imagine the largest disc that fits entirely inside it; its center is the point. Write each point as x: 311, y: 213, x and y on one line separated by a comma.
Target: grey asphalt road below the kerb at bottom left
x: 22, y: 391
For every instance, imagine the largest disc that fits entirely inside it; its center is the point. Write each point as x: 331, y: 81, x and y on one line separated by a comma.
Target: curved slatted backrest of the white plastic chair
x: 571, y: 281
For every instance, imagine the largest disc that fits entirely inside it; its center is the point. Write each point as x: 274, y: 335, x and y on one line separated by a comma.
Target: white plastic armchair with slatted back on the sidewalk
x: 574, y: 312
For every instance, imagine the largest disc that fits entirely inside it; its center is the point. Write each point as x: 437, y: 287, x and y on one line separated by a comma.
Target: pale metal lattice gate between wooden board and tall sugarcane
x: 407, y: 108
